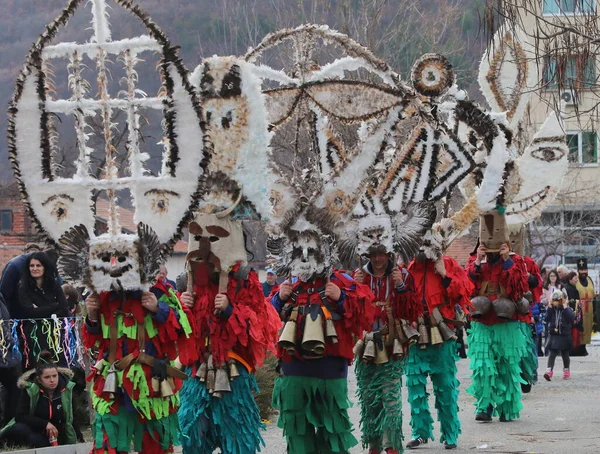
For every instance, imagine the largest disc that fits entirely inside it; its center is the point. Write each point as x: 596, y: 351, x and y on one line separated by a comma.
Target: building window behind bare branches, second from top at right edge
x: 570, y: 72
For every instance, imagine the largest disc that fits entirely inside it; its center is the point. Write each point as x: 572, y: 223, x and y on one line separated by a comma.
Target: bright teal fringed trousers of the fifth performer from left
x: 439, y: 362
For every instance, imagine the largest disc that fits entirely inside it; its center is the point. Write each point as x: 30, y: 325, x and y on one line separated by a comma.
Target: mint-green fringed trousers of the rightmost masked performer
x: 495, y: 352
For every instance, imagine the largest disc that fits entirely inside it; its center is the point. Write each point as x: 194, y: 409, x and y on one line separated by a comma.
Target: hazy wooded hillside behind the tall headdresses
x: 396, y: 30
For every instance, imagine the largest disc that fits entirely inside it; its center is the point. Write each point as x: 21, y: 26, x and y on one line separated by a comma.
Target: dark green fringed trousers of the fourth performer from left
x: 380, y: 395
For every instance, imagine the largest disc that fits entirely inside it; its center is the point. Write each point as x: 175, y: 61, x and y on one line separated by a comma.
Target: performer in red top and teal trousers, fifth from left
x: 443, y: 288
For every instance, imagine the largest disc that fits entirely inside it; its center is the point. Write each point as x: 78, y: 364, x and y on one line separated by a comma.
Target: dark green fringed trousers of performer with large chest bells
x: 314, y: 404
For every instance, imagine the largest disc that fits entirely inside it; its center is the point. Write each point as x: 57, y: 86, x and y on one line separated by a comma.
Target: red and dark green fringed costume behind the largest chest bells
x: 312, y: 393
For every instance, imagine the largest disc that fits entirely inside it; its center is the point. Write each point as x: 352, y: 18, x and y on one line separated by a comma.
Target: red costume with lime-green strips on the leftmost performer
x: 135, y: 413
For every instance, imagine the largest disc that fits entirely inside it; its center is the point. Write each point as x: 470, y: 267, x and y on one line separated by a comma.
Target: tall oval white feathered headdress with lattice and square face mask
x: 66, y: 208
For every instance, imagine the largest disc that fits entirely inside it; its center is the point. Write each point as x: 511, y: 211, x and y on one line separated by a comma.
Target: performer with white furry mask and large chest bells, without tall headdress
x: 323, y: 309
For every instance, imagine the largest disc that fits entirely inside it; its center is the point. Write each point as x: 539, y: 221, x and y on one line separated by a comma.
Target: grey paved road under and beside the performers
x: 559, y: 417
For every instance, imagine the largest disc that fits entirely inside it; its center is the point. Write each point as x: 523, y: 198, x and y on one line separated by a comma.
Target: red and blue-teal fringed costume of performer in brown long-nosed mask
x: 244, y: 333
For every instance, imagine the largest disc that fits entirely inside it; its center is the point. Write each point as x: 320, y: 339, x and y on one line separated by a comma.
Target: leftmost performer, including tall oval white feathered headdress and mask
x: 138, y: 330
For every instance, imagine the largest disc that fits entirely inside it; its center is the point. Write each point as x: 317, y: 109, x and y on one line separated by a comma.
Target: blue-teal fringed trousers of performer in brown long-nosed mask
x: 231, y: 422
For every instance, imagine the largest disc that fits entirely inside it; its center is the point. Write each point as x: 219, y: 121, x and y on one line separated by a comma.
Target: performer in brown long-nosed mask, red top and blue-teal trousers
x: 235, y: 327
